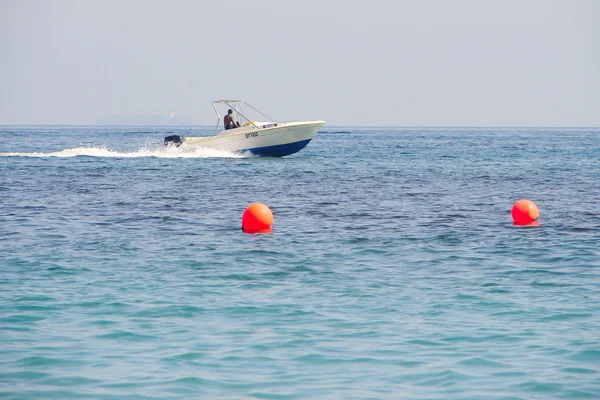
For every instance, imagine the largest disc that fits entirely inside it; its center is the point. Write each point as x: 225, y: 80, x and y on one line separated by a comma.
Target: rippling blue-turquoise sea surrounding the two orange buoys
x: 393, y: 270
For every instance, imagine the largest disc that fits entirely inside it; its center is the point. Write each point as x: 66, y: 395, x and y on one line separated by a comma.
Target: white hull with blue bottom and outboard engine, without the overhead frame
x: 265, y: 139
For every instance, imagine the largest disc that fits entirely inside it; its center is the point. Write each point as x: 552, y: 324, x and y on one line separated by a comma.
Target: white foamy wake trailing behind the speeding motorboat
x: 162, y: 152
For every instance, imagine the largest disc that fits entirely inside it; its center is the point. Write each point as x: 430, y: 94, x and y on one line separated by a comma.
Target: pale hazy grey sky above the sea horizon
x: 402, y: 63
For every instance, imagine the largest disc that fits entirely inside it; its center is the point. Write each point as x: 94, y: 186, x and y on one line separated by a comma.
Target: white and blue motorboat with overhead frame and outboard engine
x: 261, y: 136
